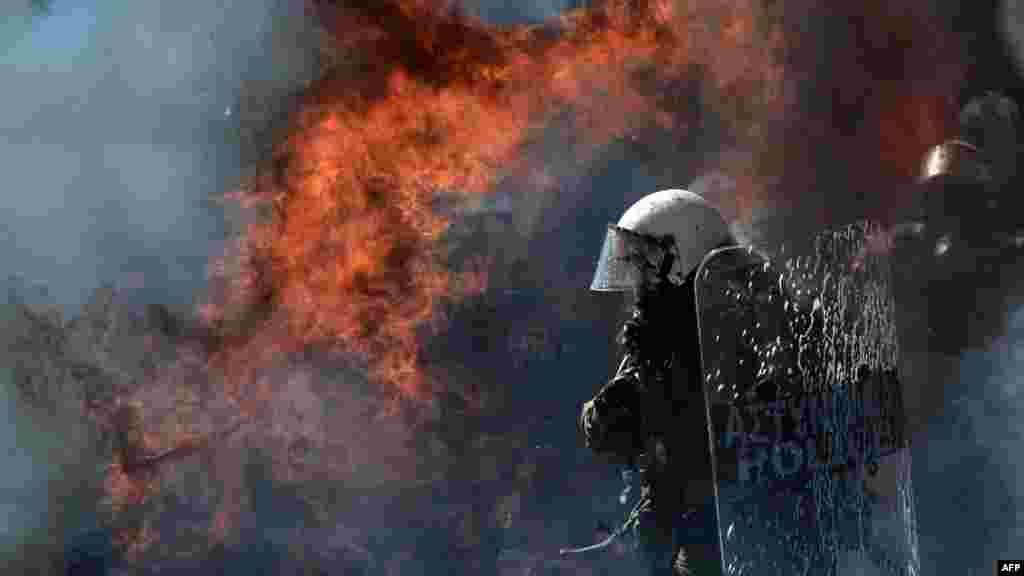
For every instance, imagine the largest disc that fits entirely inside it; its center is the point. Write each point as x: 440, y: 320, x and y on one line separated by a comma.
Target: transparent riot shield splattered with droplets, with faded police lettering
x: 805, y: 410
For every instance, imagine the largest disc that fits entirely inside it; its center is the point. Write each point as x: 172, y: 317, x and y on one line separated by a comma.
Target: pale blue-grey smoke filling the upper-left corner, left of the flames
x: 117, y: 126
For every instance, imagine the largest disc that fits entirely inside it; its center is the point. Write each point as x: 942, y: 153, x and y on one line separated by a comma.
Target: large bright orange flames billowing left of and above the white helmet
x: 437, y: 102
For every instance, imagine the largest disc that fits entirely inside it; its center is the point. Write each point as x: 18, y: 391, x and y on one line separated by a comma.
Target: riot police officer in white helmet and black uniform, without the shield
x: 652, y: 415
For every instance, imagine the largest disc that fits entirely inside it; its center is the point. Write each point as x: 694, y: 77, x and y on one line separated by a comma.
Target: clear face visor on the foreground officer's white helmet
x: 630, y: 261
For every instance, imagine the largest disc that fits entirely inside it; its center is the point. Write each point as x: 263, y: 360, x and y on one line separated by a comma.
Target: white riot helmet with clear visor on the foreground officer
x: 663, y: 235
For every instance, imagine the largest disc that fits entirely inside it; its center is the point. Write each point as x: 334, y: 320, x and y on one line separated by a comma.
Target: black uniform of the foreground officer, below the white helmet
x: 652, y: 416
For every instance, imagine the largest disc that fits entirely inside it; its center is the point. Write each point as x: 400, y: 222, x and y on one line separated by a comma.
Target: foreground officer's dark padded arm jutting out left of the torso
x: 611, y: 422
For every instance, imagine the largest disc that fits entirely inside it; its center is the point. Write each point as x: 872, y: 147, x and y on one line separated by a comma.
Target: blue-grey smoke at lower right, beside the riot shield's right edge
x: 968, y: 470
